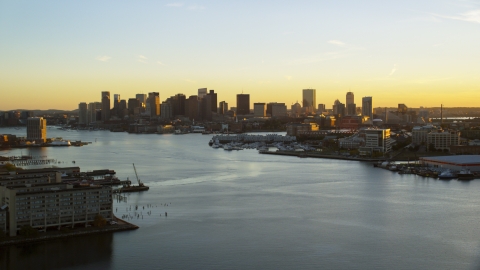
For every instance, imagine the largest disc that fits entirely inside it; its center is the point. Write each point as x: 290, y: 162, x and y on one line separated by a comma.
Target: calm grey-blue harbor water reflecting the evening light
x: 243, y: 210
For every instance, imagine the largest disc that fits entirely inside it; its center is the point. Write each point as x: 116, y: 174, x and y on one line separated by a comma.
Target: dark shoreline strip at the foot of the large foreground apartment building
x: 121, y: 225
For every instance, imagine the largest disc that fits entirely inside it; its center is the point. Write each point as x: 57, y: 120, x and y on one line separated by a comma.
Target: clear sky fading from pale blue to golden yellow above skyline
x: 56, y: 54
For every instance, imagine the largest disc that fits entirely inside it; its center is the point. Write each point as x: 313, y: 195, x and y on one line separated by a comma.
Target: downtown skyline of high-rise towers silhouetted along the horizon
x: 205, y: 104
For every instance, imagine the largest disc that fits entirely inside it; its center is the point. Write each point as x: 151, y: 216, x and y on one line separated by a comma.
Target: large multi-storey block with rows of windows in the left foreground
x: 44, y: 206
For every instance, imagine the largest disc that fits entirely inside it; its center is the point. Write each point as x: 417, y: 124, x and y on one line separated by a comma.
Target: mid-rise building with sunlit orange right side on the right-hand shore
x: 376, y: 140
